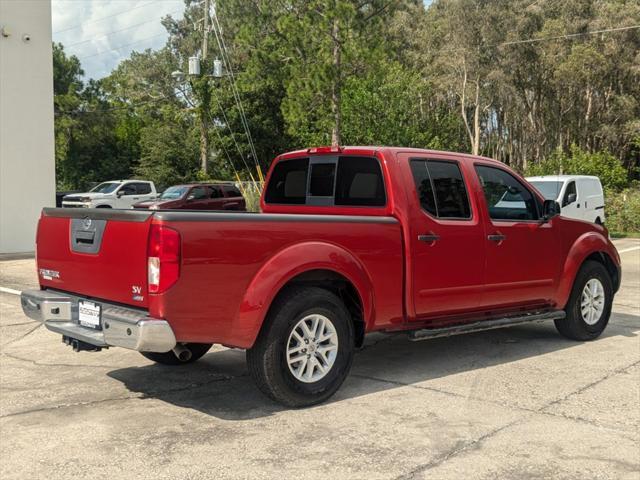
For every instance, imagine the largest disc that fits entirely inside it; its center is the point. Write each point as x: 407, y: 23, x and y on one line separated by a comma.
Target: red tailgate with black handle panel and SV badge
x: 99, y: 253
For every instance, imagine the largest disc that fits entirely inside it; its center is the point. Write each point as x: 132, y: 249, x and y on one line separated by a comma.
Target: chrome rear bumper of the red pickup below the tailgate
x: 121, y: 327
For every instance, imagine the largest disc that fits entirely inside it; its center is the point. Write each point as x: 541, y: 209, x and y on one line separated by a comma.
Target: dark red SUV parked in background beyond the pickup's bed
x: 201, y: 196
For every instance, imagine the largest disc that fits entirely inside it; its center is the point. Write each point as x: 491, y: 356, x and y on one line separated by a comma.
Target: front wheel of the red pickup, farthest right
x: 589, y: 306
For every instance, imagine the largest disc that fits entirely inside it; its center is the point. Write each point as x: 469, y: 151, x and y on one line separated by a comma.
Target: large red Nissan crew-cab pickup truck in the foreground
x: 350, y: 240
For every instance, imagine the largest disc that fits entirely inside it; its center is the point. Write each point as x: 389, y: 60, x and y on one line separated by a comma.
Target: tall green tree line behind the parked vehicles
x: 527, y: 83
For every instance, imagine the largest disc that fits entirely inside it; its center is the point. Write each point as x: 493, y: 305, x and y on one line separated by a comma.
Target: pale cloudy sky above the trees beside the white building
x: 94, y: 30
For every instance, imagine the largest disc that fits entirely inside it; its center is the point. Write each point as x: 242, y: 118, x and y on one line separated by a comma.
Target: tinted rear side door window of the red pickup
x: 441, y: 189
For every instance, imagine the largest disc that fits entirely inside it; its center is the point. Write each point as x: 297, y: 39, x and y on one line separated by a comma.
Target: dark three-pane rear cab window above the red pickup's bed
x: 339, y: 180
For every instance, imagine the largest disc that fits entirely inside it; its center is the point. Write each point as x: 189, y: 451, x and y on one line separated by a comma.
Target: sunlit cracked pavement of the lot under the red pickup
x: 518, y: 403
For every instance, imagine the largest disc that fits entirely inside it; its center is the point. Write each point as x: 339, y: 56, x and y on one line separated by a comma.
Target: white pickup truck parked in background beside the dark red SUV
x: 114, y: 194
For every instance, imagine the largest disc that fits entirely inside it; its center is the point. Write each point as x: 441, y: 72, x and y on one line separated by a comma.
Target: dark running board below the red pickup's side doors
x: 478, y: 326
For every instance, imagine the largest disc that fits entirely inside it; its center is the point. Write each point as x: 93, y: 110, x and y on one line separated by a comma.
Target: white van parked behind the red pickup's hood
x: 579, y: 196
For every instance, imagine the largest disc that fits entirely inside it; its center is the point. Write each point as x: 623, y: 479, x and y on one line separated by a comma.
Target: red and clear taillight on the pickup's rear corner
x: 163, y: 258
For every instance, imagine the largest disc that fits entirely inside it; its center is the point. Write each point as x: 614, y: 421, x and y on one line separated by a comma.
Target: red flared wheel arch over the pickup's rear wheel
x: 311, y: 263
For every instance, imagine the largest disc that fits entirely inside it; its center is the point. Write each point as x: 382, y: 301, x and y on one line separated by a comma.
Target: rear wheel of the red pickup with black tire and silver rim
x: 305, y: 349
